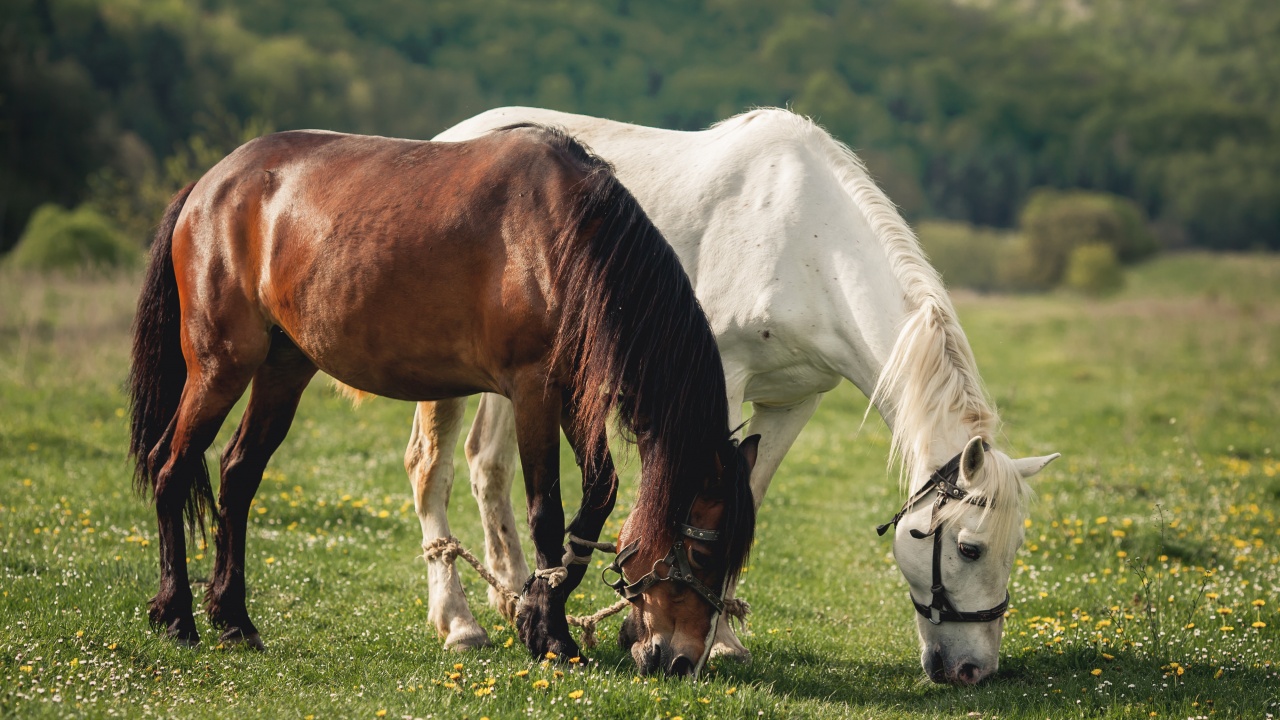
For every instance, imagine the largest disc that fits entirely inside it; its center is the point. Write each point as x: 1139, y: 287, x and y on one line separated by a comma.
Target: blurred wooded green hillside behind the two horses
x: 962, y: 110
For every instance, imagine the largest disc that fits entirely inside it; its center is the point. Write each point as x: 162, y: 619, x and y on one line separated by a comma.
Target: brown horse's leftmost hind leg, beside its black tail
x: 208, y: 397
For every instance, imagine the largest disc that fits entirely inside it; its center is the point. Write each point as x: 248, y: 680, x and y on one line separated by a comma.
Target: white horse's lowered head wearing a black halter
x: 958, y: 555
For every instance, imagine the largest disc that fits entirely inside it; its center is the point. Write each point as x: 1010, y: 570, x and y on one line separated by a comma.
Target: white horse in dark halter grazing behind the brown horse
x: 808, y: 275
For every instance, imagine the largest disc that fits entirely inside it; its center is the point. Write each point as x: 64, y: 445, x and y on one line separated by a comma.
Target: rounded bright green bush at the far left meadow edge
x: 63, y: 240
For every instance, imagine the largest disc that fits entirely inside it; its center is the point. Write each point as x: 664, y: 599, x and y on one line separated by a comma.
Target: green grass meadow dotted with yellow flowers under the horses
x: 1150, y: 584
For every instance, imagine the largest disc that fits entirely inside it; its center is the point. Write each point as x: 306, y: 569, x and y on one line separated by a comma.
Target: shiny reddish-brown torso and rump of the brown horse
x: 381, y: 258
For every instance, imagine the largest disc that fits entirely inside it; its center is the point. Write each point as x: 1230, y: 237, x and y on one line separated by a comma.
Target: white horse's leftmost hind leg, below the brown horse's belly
x: 429, y: 462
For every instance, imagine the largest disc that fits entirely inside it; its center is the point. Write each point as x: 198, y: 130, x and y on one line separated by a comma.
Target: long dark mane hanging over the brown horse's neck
x: 637, y: 343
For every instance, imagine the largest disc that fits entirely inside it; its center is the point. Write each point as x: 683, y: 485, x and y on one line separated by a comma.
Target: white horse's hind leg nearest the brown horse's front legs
x: 492, y: 457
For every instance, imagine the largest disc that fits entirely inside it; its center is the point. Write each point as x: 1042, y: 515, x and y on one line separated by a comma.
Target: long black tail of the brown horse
x: 159, y: 371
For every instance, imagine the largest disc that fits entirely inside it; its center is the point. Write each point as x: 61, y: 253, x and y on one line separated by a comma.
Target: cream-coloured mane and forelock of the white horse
x: 931, y: 376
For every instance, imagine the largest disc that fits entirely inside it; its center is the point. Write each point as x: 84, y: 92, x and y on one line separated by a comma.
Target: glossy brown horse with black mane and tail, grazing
x: 515, y: 265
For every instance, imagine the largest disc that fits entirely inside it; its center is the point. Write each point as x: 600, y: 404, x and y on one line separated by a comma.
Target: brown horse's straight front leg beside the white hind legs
x: 542, y: 619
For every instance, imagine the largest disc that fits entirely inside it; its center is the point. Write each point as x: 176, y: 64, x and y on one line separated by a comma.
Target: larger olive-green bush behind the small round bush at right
x: 1058, y: 222
